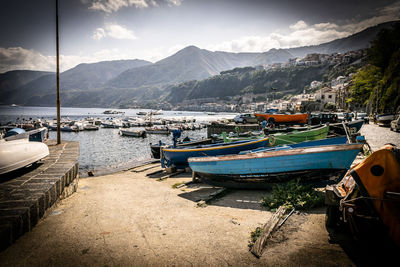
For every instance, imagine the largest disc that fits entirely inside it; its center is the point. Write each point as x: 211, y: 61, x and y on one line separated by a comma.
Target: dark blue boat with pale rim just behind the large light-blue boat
x: 178, y: 156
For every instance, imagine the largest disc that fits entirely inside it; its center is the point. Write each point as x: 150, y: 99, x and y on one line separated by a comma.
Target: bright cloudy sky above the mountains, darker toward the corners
x: 99, y: 30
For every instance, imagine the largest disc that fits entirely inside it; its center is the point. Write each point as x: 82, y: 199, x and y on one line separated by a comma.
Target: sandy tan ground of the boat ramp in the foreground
x: 129, y: 219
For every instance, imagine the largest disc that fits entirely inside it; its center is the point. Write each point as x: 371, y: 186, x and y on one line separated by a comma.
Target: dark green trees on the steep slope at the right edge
x: 377, y: 84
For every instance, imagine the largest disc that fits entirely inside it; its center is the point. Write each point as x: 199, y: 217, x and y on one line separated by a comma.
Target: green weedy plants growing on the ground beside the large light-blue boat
x: 293, y: 195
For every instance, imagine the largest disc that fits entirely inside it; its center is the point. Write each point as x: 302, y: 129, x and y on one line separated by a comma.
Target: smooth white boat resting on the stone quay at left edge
x: 18, y: 153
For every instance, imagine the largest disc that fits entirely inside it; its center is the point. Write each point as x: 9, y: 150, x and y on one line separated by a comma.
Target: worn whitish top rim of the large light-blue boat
x: 279, y: 153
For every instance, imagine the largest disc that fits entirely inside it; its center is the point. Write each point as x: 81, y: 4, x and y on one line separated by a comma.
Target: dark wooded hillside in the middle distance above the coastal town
x: 248, y: 80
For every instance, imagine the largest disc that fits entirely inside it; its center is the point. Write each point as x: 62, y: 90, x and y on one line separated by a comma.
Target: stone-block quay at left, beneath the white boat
x: 27, y: 193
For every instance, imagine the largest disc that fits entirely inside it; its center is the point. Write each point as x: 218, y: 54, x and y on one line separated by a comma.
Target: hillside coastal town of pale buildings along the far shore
x: 316, y: 96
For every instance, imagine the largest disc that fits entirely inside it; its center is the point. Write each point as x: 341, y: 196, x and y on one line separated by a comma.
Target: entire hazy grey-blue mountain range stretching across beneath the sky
x: 111, y: 83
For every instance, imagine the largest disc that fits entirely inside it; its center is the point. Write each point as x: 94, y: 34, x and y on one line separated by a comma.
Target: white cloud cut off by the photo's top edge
x: 109, y: 6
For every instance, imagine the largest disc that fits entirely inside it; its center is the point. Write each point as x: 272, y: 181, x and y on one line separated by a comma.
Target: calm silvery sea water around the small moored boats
x: 105, y: 151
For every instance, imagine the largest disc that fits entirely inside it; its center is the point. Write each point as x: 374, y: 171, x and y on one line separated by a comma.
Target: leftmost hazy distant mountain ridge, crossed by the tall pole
x: 37, y: 88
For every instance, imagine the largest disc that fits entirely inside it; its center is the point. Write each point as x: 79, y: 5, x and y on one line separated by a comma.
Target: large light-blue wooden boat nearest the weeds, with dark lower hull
x: 258, y: 170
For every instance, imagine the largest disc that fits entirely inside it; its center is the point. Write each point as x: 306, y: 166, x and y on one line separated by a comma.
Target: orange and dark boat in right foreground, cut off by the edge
x: 372, y: 193
